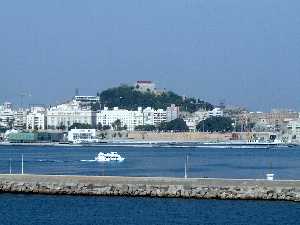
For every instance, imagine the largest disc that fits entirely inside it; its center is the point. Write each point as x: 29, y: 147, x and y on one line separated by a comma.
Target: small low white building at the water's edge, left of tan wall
x: 82, y: 135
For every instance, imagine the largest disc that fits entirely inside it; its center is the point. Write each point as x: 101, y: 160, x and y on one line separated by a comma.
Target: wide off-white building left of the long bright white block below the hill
x: 65, y: 115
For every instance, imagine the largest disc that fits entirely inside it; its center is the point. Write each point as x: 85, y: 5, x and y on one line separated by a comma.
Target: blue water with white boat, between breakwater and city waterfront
x: 156, y: 161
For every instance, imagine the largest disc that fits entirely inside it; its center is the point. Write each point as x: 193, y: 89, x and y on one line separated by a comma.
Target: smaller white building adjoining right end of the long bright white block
x: 154, y: 117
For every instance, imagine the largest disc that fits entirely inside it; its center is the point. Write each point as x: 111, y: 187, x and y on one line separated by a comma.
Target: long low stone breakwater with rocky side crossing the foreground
x: 152, y: 187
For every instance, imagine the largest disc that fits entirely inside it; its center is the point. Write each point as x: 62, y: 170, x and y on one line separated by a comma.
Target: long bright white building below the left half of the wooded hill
x: 130, y: 119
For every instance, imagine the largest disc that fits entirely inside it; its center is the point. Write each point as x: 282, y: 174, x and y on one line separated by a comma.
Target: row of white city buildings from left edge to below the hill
x: 78, y: 111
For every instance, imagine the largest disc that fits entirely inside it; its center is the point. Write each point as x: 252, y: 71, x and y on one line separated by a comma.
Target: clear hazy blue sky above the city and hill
x: 245, y: 53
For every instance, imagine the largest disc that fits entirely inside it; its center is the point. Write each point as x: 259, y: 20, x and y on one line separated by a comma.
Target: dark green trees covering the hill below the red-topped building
x: 128, y: 97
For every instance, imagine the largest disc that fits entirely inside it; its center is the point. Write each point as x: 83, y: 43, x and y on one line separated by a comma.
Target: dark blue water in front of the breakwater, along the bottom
x: 64, y: 210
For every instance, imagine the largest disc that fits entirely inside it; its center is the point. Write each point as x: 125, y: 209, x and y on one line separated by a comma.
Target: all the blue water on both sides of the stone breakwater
x: 143, y: 161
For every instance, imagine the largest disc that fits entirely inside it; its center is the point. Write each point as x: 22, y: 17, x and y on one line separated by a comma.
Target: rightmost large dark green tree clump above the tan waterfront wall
x: 216, y: 124
